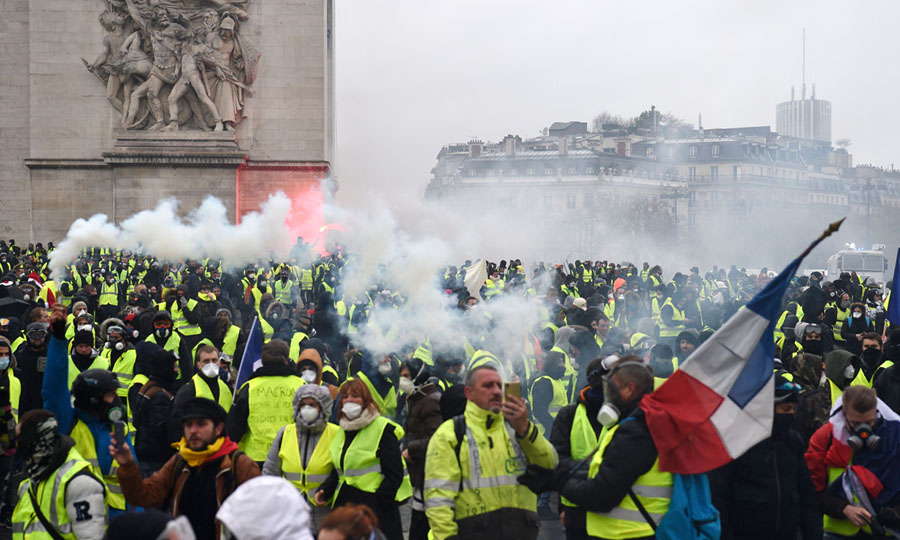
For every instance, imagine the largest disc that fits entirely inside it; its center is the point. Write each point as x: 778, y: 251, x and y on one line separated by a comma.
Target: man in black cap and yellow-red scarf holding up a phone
x: 196, y: 480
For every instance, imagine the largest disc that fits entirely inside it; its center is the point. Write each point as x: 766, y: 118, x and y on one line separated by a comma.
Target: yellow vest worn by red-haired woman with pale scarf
x: 359, y: 466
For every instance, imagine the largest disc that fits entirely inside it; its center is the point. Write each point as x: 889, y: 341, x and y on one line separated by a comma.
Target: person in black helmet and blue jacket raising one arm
x: 89, y: 418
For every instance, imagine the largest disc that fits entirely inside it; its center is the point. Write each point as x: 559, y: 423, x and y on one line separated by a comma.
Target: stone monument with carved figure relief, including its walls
x: 108, y: 106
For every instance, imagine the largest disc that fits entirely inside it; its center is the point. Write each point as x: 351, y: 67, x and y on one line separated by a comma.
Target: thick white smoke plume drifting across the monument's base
x: 204, y: 232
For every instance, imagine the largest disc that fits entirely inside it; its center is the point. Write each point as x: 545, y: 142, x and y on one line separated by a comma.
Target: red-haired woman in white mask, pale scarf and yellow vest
x: 368, y: 466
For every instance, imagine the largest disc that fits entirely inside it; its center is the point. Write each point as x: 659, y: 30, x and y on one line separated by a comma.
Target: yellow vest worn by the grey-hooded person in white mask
x: 318, y: 466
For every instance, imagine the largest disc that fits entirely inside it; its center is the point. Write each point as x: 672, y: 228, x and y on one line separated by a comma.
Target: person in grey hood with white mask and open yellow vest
x: 301, y: 452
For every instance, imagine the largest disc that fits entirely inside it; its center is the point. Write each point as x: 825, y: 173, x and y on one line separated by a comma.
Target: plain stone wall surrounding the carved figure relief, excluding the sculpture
x: 58, y: 128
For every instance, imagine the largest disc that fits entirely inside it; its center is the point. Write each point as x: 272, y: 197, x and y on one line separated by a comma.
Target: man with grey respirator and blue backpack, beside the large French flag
x: 626, y: 461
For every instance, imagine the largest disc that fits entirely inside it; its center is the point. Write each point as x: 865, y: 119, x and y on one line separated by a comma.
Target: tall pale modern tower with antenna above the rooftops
x: 804, y: 118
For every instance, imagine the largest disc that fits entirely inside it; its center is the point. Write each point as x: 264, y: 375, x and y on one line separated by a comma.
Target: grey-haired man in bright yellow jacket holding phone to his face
x: 473, y: 460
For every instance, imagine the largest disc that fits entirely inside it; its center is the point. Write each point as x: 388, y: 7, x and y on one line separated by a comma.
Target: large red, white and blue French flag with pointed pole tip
x: 720, y: 402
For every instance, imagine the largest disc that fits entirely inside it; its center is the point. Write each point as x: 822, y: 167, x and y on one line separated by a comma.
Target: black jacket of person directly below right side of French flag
x: 767, y: 493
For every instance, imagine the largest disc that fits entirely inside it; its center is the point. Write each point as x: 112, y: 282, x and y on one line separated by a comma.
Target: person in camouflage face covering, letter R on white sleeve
x: 56, y: 478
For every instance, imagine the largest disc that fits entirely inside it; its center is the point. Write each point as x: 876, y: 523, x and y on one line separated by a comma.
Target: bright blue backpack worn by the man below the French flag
x: 691, y: 514
